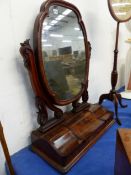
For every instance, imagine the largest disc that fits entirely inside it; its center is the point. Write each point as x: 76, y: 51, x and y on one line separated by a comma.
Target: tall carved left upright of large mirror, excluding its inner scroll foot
x: 28, y: 57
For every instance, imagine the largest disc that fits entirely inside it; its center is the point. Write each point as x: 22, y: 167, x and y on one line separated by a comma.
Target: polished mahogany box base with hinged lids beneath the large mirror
x: 64, y: 144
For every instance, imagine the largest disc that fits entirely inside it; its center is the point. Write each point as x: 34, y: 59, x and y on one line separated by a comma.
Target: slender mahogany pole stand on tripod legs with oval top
x: 121, y: 12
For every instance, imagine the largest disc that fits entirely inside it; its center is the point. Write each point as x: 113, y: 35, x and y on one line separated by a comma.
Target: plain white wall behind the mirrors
x: 17, y: 109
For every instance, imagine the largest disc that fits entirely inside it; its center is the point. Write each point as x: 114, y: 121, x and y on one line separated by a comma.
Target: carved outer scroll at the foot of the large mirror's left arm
x: 42, y: 118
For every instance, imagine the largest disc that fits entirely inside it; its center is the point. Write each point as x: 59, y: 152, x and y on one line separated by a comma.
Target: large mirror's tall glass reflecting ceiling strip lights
x: 63, y: 50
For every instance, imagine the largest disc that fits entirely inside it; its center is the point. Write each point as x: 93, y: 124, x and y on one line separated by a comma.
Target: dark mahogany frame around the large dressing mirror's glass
x: 44, y: 11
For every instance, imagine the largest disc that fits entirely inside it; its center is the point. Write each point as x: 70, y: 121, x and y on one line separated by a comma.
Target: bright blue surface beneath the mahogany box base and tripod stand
x: 99, y: 160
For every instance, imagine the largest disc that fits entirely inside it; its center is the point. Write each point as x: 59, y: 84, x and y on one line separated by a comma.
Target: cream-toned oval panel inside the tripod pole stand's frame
x: 122, y: 9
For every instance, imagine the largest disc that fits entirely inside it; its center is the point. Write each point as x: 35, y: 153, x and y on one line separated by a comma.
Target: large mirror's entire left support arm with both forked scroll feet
x: 41, y: 101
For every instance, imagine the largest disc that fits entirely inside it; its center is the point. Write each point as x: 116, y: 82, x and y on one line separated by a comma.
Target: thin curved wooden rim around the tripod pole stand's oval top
x: 113, y: 13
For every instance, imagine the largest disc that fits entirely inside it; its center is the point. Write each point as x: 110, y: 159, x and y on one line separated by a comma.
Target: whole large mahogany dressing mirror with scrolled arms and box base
x: 58, y: 67
